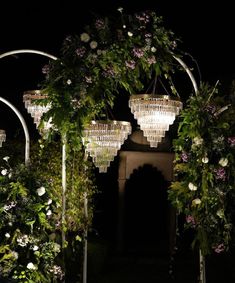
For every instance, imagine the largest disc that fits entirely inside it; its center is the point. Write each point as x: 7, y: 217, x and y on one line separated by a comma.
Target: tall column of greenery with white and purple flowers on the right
x: 205, y: 169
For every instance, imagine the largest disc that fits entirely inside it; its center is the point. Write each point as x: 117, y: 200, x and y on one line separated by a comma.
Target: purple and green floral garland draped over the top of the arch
x: 110, y: 56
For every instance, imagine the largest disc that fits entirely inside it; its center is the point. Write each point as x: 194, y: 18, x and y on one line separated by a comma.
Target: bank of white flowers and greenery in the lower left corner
x: 27, y: 251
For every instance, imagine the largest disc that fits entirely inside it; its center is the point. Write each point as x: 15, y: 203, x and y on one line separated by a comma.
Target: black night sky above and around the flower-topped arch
x: 207, y: 34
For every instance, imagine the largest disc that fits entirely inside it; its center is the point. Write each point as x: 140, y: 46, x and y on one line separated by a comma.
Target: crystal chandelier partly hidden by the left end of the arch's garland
x: 35, y: 110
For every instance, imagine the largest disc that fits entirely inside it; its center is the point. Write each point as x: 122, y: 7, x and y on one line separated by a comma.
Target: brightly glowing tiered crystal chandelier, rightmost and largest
x: 154, y: 114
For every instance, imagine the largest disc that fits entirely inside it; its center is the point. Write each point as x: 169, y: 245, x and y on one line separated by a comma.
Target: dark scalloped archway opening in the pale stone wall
x: 145, y: 212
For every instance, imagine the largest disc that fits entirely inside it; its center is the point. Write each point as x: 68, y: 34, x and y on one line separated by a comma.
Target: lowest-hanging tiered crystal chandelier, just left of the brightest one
x: 102, y: 140
